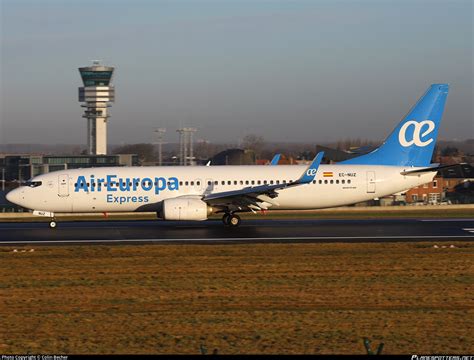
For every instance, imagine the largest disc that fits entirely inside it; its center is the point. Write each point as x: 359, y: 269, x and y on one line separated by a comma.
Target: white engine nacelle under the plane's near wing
x: 185, y: 209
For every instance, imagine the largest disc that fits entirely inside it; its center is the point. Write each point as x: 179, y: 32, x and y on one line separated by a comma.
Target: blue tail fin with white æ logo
x: 413, y: 140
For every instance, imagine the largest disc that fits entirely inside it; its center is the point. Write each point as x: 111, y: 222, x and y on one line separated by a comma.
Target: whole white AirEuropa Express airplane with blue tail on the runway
x: 402, y: 162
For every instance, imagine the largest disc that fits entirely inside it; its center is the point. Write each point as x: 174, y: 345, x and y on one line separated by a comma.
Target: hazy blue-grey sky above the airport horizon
x: 290, y: 71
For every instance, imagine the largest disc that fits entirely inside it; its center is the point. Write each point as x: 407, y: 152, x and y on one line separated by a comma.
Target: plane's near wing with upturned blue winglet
x: 259, y: 197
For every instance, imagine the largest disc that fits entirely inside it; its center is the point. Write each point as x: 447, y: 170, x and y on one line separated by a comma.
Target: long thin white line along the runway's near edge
x: 236, y: 239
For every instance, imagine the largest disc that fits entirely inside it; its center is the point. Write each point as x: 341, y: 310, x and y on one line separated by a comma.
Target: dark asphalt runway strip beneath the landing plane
x: 251, y: 231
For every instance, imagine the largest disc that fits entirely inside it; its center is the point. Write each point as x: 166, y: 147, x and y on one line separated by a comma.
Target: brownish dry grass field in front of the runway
x: 251, y: 298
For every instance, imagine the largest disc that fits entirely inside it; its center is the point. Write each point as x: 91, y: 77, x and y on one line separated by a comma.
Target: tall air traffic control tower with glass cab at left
x: 96, y: 96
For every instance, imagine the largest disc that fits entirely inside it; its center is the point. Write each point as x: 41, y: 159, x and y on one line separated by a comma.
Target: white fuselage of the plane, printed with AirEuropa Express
x: 126, y: 189
